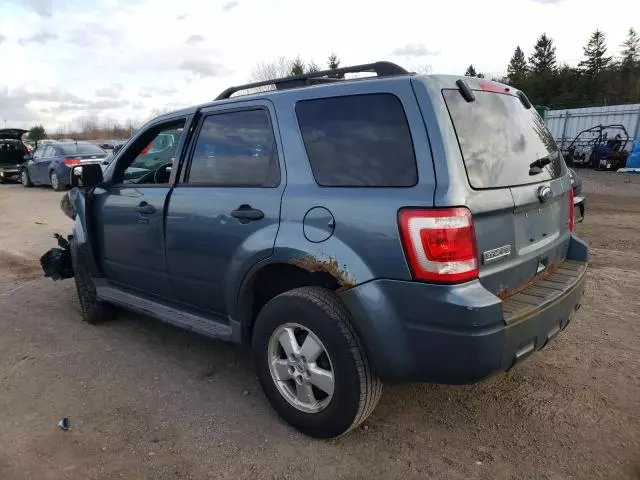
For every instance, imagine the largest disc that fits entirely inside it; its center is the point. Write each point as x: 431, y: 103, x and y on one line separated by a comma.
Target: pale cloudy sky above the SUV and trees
x: 61, y: 59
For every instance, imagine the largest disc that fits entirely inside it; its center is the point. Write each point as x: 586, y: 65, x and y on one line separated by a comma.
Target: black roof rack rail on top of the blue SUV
x: 382, y: 69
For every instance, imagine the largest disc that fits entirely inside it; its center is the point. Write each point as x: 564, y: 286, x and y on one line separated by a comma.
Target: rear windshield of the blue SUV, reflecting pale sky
x: 500, y: 139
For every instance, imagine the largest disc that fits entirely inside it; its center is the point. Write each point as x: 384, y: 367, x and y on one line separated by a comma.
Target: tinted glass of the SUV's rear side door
x: 236, y: 149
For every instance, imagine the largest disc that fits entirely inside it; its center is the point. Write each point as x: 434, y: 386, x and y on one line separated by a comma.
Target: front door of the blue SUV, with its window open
x: 130, y: 212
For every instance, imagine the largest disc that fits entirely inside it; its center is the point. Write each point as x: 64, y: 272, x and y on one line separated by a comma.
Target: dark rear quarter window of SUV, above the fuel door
x: 358, y: 141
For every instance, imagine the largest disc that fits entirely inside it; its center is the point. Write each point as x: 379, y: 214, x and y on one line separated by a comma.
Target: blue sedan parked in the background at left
x: 50, y: 164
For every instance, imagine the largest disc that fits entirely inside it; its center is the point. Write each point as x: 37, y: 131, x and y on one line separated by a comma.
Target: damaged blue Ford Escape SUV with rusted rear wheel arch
x: 395, y: 227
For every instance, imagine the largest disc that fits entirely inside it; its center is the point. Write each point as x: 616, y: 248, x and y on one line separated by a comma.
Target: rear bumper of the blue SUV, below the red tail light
x: 457, y: 334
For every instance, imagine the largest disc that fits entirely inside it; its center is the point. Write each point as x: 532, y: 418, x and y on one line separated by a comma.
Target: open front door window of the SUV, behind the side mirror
x: 151, y: 157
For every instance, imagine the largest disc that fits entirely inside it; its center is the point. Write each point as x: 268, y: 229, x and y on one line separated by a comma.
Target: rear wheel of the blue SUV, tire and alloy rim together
x: 312, y: 365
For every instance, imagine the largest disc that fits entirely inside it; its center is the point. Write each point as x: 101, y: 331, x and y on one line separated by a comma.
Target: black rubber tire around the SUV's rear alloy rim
x: 356, y: 387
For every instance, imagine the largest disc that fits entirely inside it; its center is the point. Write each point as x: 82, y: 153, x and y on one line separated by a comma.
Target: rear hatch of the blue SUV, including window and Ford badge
x: 506, y: 147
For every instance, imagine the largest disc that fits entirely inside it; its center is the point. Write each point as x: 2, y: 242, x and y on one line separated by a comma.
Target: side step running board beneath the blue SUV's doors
x: 165, y: 313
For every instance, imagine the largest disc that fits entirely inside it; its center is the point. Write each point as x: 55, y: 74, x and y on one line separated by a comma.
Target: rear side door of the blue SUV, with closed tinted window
x: 223, y: 217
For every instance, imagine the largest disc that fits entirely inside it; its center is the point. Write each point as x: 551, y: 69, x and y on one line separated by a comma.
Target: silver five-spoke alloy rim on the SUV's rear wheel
x: 301, y: 368
